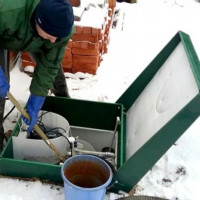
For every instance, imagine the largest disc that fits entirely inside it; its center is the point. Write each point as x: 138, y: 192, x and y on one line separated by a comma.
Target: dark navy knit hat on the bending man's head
x: 55, y: 17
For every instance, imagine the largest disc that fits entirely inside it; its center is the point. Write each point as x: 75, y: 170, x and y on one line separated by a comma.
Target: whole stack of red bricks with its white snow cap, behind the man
x: 89, y: 42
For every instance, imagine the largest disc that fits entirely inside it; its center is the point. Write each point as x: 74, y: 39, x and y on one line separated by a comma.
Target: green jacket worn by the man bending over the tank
x: 18, y: 33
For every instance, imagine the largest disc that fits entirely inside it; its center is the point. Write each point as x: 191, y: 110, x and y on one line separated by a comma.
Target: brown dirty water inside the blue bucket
x: 86, y: 174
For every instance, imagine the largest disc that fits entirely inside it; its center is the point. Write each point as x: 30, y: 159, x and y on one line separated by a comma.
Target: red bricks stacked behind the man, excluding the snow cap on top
x: 86, y: 47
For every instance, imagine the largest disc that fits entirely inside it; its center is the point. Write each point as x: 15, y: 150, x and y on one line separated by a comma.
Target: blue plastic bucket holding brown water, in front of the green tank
x: 85, y: 177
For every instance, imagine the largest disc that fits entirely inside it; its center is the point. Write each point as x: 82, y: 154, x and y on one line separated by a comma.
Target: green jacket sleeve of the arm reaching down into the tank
x: 48, y: 61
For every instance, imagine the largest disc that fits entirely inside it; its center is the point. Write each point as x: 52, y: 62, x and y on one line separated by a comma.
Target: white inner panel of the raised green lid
x: 172, y: 87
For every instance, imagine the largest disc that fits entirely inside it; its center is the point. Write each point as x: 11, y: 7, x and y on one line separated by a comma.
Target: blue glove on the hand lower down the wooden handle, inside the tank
x: 33, y: 107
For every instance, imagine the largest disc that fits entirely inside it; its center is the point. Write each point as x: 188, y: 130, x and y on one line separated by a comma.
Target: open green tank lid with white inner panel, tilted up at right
x: 159, y: 106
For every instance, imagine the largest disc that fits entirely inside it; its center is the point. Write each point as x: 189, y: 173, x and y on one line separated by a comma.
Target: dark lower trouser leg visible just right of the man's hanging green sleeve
x: 60, y: 86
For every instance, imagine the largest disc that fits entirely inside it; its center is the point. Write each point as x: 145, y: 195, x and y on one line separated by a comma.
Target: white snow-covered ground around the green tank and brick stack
x: 144, y: 29
